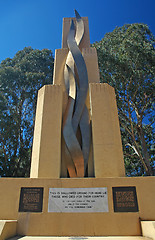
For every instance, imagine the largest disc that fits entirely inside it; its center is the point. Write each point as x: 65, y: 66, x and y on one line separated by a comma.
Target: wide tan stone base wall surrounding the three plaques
x: 78, y: 224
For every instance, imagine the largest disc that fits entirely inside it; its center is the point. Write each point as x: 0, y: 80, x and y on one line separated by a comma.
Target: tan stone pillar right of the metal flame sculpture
x: 106, y: 137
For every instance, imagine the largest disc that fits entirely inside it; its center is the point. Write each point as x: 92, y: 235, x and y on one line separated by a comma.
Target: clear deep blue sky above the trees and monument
x: 38, y: 23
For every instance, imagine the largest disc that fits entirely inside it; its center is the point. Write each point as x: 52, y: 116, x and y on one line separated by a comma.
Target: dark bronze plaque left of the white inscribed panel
x: 31, y: 199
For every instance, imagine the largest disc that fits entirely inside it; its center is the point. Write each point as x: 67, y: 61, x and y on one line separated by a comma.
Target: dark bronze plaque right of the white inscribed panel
x: 125, y: 199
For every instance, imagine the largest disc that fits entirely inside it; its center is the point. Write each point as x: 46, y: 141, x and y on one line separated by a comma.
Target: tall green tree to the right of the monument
x: 127, y: 62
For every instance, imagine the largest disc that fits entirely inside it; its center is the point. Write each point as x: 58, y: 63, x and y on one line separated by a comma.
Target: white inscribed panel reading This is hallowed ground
x: 78, y: 200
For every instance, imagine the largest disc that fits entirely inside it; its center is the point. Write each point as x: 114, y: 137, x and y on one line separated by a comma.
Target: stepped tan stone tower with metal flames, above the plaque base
x: 94, y: 150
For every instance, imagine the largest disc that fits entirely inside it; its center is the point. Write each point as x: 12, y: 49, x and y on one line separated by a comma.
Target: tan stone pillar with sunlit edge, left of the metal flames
x: 46, y: 153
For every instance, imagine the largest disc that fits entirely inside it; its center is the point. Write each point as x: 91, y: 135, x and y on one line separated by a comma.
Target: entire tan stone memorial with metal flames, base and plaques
x: 77, y: 184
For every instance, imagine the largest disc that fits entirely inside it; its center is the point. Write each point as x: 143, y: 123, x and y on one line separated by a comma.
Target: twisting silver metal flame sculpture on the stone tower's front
x: 76, y: 117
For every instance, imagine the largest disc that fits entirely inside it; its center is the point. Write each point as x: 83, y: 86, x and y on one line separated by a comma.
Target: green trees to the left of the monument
x: 20, y: 79
